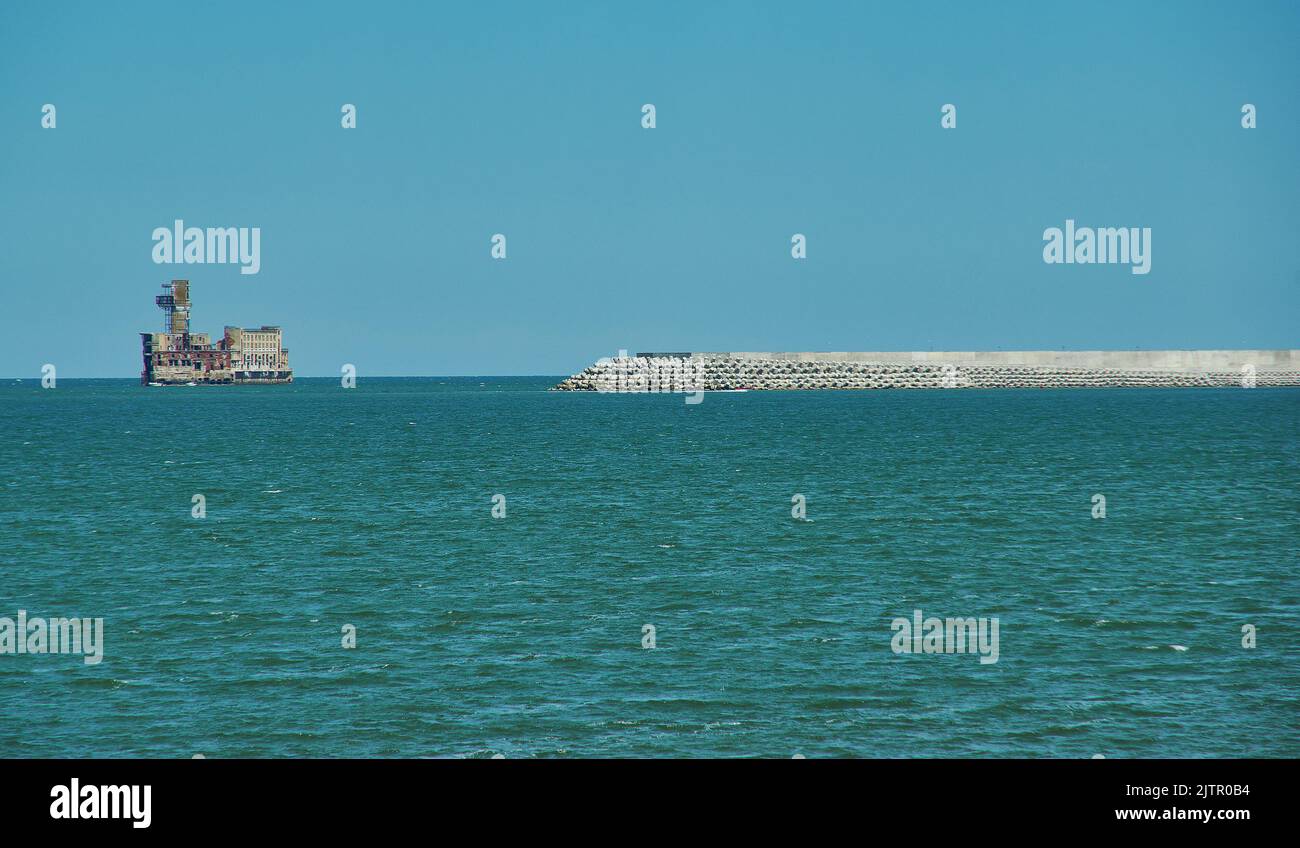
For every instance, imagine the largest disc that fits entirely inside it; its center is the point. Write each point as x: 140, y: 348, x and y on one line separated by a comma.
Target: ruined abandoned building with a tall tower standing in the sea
x: 177, y: 357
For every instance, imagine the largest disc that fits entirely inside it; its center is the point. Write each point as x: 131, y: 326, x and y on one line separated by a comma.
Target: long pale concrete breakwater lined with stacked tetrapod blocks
x: 938, y: 370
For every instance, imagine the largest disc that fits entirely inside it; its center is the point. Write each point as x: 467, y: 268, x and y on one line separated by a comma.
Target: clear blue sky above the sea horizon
x: 526, y: 119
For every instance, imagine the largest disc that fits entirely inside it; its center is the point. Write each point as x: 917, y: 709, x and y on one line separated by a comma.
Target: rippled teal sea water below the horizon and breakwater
x: 523, y: 635
